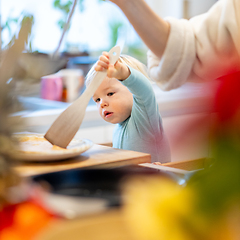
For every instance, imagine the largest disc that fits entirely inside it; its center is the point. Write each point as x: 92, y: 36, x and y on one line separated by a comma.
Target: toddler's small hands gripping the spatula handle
x: 119, y: 71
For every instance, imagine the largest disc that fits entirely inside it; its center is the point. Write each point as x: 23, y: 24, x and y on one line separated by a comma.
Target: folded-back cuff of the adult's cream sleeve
x: 179, y: 54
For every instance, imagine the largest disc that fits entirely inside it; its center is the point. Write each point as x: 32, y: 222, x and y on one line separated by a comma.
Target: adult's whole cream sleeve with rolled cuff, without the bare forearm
x: 200, y: 49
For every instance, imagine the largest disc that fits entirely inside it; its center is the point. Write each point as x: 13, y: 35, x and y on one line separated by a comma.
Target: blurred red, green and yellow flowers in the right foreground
x: 207, y: 206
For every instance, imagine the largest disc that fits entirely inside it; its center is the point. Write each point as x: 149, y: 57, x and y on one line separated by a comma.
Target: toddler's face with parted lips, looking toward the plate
x: 114, y: 101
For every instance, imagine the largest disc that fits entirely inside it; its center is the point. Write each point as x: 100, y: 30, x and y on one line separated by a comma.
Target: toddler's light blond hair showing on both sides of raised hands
x: 128, y: 60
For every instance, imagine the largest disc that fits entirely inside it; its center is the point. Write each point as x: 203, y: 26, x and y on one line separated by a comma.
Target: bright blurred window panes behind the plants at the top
x: 91, y: 30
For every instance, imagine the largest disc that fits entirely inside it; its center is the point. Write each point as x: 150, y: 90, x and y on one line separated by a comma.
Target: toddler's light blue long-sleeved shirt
x: 143, y: 130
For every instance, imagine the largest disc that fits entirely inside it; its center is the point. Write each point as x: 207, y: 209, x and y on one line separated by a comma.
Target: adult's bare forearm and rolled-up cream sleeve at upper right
x: 203, y: 48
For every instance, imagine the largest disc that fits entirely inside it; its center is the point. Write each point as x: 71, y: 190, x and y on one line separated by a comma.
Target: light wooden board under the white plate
x: 96, y: 156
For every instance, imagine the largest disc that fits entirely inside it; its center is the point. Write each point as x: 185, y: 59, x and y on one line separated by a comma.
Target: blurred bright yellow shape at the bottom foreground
x: 158, y: 208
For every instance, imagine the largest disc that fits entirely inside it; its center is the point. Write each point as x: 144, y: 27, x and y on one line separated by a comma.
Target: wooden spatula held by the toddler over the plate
x: 67, y: 124
